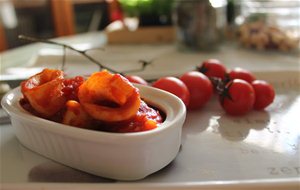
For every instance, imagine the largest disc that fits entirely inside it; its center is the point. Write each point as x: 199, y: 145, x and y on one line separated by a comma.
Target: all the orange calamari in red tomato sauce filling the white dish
x: 105, y: 101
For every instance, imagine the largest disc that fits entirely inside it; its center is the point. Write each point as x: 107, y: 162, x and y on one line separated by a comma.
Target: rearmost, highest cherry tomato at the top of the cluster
x: 213, y: 68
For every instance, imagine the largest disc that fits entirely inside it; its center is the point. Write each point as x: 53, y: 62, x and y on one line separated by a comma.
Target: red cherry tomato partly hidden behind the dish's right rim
x: 174, y: 86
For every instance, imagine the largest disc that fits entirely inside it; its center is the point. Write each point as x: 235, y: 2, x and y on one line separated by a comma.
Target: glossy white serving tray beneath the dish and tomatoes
x: 260, y: 150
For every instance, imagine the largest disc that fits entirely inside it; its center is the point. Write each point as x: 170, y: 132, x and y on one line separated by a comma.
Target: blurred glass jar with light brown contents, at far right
x: 269, y: 24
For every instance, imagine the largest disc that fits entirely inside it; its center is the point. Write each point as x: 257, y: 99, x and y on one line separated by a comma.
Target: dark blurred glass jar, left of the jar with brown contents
x: 199, y: 24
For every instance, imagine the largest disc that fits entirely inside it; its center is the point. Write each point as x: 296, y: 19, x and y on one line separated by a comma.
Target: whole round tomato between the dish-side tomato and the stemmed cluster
x: 200, y: 88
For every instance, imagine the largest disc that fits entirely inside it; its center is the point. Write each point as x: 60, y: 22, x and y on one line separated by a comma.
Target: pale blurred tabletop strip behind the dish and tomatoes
x: 166, y: 61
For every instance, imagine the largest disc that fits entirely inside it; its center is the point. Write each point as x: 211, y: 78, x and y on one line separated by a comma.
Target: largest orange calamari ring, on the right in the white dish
x: 109, y: 97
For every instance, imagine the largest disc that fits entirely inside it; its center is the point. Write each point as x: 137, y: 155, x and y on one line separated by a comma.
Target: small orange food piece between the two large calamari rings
x: 75, y: 115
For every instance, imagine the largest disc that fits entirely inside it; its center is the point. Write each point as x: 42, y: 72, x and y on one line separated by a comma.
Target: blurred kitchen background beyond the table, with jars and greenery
x: 207, y: 21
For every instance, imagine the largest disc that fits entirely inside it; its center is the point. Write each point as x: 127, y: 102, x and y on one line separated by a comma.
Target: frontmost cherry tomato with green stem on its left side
x: 238, y: 97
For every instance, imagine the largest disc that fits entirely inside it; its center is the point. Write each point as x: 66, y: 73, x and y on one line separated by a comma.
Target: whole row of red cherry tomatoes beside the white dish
x: 238, y: 89
